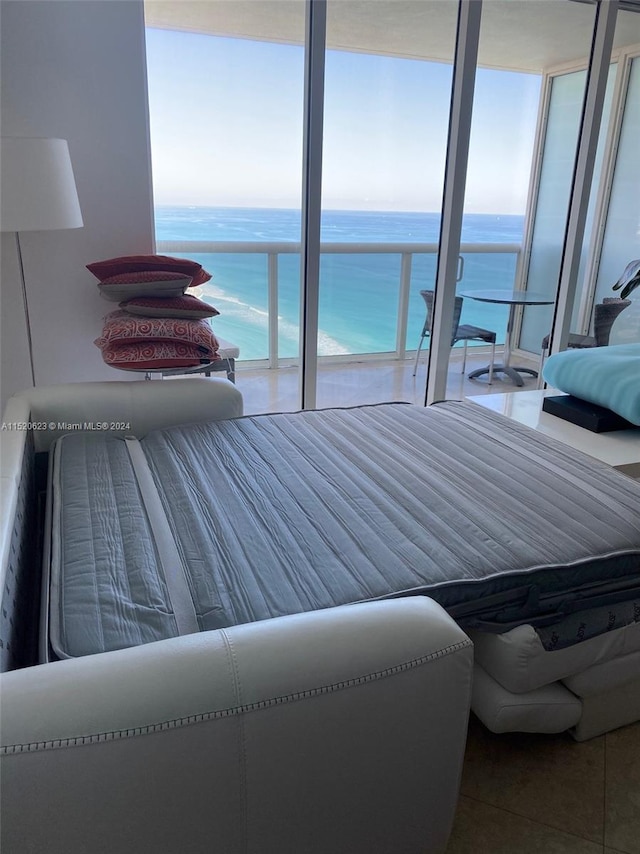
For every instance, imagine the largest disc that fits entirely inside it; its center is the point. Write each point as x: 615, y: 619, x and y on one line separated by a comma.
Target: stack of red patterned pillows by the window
x: 158, y: 326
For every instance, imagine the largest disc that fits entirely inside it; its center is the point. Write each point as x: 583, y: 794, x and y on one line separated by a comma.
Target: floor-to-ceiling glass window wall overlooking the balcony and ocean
x: 232, y: 143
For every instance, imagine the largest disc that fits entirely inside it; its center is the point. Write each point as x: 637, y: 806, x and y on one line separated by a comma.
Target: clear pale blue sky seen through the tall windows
x: 226, y: 128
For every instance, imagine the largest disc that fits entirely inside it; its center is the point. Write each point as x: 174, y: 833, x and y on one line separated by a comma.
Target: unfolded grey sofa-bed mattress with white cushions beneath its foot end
x: 531, y: 547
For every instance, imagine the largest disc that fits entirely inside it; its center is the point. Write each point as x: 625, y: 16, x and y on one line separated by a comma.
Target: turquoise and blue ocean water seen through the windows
x: 358, y: 292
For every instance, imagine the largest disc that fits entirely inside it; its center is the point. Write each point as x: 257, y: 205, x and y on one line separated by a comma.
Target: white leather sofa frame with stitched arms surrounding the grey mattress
x: 246, y: 737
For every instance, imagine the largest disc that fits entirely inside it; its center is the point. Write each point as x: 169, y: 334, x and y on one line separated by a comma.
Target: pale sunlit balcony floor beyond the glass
x: 369, y: 381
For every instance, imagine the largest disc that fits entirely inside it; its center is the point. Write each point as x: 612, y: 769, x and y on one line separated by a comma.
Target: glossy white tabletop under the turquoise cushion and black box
x: 619, y: 448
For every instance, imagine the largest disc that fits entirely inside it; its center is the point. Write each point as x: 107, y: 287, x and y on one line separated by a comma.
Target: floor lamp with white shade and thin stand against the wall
x: 37, y: 193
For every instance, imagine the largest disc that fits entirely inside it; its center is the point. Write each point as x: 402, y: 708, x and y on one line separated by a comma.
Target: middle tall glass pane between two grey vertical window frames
x: 385, y: 133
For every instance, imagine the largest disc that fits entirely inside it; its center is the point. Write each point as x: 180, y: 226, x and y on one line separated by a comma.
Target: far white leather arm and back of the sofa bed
x: 32, y: 420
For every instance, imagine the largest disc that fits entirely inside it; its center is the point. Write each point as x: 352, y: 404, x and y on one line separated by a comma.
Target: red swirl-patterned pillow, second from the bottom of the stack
x: 122, y: 328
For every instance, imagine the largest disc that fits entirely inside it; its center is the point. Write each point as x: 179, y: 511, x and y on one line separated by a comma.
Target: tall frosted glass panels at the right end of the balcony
x: 613, y: 192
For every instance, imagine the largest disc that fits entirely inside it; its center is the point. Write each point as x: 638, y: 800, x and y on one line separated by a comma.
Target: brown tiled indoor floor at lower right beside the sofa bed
x: 542, y: 794
